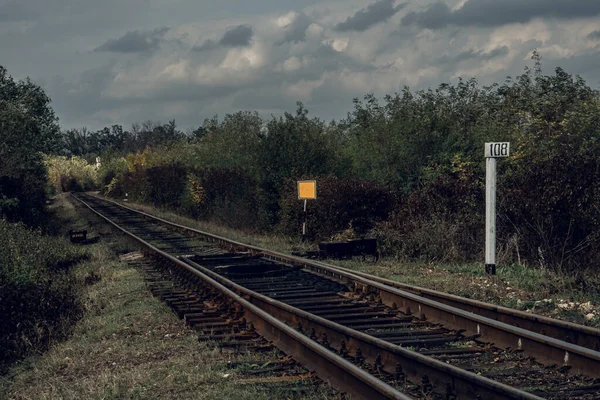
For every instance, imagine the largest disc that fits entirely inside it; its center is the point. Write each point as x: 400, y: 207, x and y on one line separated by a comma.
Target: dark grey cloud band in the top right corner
x: 495, y: 12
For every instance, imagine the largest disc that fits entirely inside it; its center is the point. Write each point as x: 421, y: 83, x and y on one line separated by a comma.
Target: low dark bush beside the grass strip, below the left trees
x: 43, y: 280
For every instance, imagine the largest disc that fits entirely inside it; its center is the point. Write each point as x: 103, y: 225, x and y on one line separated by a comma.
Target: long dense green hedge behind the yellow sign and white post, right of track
x: 407, y: 168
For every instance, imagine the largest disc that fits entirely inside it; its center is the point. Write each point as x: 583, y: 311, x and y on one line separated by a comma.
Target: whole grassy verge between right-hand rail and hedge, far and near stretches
x: 516, y: 286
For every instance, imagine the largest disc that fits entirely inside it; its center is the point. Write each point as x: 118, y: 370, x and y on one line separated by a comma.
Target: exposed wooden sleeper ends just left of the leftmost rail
x: 208, y: 312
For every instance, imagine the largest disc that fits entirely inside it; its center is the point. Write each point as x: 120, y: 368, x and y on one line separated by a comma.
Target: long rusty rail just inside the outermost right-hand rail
x: 545, y: 349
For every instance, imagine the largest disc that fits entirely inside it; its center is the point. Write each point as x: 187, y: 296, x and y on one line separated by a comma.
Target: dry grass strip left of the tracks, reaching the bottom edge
x: 130, y: 345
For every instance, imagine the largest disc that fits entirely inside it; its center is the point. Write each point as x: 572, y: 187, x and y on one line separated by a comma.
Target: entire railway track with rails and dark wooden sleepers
x: 392, y: 339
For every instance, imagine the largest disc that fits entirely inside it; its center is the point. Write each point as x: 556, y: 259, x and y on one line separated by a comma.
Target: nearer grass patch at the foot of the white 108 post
x: 515, y: 286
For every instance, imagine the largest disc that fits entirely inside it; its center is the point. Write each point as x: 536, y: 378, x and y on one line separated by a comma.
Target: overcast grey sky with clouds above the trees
x: 123, y: 61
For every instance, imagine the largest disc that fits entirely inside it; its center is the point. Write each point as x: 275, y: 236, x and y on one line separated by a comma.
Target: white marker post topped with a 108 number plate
x: 492, y: 151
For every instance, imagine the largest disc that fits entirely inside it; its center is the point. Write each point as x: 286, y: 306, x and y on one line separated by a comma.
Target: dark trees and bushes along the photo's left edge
x: 40, y: 297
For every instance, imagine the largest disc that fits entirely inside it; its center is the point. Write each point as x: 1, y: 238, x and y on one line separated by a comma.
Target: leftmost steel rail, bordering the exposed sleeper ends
x: 330, y: 367
